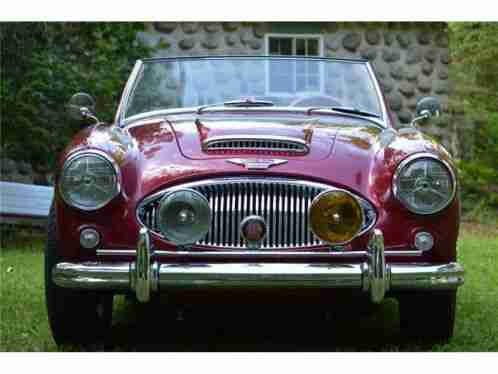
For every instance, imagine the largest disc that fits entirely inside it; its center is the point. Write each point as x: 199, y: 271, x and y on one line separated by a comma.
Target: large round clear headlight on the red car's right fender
x: 424, y: 184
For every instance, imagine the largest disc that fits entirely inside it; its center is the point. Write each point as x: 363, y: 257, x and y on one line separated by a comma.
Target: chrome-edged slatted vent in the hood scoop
x: 260, y: 144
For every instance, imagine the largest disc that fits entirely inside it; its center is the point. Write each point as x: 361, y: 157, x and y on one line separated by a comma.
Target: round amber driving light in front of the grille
x: 335, y: 217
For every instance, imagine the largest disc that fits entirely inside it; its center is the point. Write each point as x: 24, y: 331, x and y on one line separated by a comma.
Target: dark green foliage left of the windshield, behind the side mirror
x: 43, y: 65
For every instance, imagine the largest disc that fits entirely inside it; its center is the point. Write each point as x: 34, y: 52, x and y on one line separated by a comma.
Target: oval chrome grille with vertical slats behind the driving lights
x: 283, y: 203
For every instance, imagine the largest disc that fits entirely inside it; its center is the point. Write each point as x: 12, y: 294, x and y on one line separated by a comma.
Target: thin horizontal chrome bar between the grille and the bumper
x: 193, y: 254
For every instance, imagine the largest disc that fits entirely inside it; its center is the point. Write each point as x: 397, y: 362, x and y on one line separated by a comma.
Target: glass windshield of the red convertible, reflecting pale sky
x: 296, y: 82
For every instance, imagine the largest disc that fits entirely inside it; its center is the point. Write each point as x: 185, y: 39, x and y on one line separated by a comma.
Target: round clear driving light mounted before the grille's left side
x: 184, y: 216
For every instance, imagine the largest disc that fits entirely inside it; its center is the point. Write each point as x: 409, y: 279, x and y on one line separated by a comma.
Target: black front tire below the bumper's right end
x: 427, y: 315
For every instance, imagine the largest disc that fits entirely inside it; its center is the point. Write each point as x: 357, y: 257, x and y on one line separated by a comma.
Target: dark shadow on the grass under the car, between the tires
x: 250, y: 327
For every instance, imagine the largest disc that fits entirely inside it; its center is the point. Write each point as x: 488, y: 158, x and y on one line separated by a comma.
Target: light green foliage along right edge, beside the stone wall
x: 474, y: 72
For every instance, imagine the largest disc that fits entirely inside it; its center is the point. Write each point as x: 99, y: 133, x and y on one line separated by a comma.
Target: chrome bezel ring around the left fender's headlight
x: 102, y: 156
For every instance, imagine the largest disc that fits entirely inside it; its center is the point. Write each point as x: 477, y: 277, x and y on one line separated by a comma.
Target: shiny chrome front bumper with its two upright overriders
x: 145, y: 275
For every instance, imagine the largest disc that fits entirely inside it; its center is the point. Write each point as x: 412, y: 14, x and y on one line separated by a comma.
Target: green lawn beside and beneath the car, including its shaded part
x: 24, y: 326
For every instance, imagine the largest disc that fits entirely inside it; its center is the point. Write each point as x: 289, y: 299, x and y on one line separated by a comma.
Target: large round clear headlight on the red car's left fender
x: 89, y: 180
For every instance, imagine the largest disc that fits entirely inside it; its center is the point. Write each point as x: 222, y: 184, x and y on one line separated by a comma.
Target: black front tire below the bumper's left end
x: 75, y: 317
